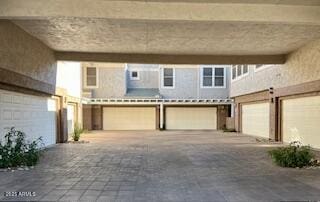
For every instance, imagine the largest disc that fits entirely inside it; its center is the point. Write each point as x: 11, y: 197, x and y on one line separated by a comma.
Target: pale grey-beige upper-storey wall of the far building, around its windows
x: 114, y: 79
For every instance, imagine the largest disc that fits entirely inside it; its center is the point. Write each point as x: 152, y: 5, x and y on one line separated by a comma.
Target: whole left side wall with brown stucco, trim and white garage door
x: 28, y: 66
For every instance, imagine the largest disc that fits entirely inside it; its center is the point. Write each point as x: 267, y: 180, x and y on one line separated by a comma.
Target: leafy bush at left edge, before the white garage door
x: 15, y: 151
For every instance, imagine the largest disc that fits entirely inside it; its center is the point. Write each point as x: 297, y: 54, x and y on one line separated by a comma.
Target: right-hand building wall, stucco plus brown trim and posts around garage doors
x: 300, y: 76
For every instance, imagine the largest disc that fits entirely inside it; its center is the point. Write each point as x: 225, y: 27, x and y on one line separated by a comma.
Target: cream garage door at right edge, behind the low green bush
x: 301, y: 120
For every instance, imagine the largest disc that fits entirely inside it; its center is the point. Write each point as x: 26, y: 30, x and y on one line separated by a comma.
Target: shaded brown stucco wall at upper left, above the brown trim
x: 24, y: 54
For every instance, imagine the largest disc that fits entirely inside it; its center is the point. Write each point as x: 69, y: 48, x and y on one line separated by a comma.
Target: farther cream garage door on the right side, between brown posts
x: 255, y: 119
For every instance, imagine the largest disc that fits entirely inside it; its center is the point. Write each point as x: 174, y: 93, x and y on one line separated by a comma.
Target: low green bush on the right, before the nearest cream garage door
x: 293, y: 155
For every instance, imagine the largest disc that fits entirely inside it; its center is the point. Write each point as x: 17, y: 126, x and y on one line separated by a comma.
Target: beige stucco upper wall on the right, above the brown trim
x: 302, y: 66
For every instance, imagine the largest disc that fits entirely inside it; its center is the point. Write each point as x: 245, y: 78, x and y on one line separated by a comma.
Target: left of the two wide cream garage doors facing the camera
x: 129, y: 118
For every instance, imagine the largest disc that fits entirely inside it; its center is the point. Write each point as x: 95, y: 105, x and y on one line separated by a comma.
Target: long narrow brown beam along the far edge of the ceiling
x: 170, y: 59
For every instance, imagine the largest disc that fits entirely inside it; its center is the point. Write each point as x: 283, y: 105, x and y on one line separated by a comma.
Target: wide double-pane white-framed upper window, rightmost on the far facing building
x: 213, y: 77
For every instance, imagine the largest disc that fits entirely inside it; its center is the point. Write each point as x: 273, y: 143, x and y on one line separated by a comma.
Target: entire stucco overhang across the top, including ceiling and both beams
x: 177, y: 32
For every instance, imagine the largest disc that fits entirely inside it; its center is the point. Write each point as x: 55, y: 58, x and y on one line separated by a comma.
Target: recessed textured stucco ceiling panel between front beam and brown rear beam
x: 155, y: 37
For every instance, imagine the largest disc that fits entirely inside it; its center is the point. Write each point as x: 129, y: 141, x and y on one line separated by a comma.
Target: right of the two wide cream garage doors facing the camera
x: 191, y: 118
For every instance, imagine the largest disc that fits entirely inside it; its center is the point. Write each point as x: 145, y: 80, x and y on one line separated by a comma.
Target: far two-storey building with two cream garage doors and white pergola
x: 122, y: 96
